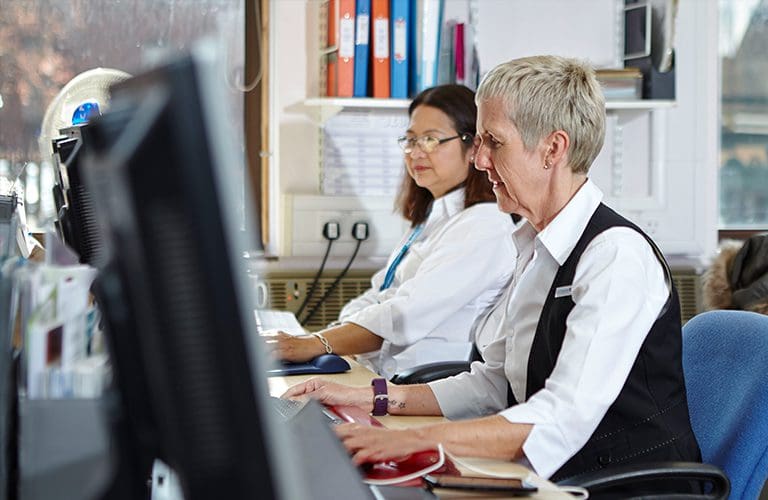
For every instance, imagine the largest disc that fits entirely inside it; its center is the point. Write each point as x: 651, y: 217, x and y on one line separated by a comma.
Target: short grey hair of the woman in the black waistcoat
x: 547, y: 93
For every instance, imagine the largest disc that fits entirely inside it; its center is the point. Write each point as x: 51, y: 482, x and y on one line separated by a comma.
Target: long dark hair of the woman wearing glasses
x: 458, y: 102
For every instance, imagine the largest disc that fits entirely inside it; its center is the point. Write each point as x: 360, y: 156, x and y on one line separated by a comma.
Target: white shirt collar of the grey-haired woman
x: 561, y: 235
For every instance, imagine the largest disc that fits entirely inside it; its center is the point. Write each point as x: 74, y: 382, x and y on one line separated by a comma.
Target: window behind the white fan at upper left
x: 45, y: 43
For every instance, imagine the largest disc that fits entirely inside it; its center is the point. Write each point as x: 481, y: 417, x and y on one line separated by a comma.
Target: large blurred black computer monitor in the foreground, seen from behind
x: 175, y: 294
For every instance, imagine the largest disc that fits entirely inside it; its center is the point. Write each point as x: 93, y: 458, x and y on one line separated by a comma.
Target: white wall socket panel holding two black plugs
x: 310, y: 213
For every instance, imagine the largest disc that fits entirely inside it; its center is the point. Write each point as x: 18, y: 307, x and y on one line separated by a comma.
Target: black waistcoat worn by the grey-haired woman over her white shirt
x: 649, y: 419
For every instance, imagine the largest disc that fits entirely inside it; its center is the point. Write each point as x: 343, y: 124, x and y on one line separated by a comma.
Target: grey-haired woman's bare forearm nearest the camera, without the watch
x: 489, y: 437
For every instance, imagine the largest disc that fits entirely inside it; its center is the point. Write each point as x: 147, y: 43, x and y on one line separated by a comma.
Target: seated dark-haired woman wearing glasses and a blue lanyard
x: 449, y: 267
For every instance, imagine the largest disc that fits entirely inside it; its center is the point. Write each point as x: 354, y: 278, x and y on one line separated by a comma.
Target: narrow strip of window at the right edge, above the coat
x: 744, y: 132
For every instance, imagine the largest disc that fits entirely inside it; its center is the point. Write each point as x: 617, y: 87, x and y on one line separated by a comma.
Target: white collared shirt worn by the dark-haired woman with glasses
x: 452, y: 274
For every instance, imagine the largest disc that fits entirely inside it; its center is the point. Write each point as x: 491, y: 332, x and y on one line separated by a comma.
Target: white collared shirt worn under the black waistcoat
x: 619, y: 290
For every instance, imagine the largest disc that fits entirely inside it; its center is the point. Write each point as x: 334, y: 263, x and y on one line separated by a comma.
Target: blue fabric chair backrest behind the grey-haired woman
x: 725, y: 360
